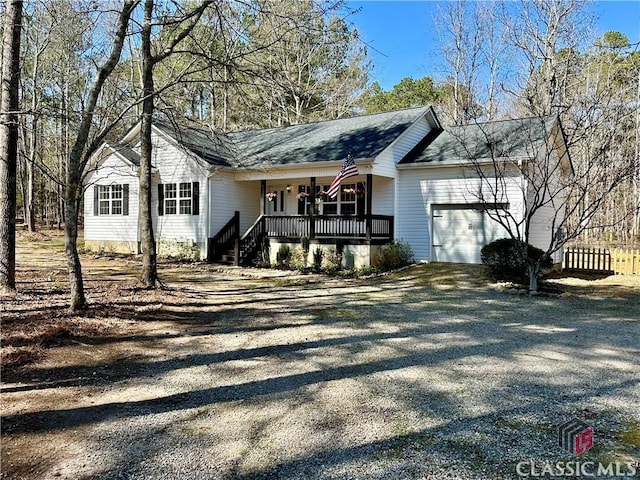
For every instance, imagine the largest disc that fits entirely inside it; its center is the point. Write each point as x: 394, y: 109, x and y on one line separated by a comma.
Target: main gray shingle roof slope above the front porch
x: 365, y: 136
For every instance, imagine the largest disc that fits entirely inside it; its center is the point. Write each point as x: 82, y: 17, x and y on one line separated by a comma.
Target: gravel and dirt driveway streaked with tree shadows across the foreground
x: 238, y: 374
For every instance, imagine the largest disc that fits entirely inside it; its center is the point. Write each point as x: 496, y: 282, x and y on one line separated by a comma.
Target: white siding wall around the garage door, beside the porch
x: 420, y: 191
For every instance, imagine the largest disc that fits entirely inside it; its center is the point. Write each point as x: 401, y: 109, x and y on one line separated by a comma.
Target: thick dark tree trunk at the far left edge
x: 9, y: 143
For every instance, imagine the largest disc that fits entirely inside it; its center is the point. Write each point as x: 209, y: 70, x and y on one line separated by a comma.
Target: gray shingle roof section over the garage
x: 507, y: 138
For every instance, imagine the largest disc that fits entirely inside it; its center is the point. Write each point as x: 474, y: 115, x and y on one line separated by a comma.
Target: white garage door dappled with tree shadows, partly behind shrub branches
x: 459, y: 232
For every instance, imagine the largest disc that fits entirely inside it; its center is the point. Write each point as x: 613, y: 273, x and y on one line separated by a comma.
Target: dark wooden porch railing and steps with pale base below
x: 356, y: 237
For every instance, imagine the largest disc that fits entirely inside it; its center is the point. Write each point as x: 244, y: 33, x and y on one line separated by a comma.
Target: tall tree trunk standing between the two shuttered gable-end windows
x: 149, y: 256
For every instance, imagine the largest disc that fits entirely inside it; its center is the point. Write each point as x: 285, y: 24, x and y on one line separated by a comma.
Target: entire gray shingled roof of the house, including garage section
x: 364, y: 136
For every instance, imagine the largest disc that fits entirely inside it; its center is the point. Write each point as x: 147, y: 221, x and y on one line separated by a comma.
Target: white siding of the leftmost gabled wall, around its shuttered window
x: 113, y: 171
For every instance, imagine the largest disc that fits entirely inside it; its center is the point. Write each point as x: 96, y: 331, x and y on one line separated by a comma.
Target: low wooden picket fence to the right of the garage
x: 619, y: 261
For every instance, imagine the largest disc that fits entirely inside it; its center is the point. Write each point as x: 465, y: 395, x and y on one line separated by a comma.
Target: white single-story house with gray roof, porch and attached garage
x: 215, y: 193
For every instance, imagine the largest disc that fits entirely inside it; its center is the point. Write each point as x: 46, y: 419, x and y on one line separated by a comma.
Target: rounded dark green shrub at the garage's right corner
x: 505, y: 261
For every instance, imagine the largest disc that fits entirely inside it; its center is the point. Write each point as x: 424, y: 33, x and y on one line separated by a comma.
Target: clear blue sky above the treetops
x: 402, y: 44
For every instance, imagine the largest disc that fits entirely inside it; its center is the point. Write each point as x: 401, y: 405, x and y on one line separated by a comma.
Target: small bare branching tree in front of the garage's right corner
x: 529, y: 159
